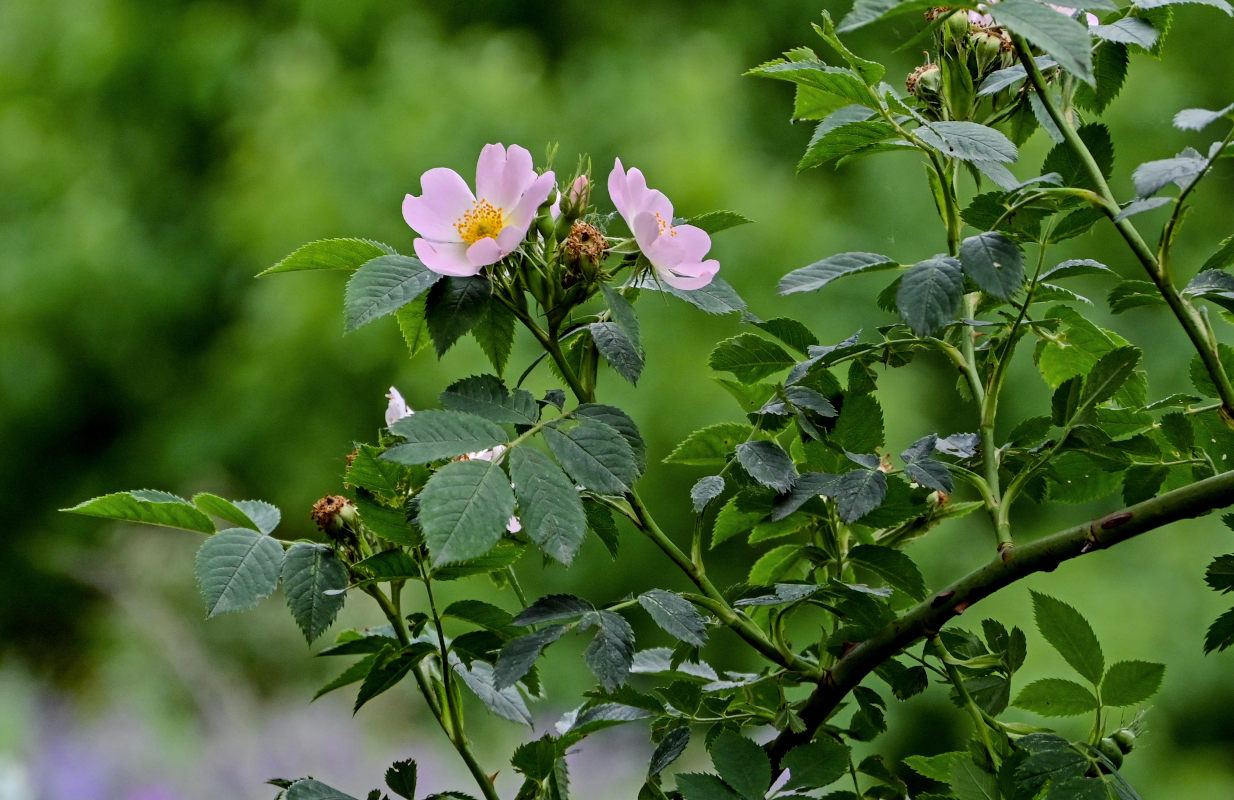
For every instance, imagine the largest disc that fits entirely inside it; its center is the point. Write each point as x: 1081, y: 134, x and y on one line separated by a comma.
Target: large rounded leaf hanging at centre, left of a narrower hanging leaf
x: 465, y: 509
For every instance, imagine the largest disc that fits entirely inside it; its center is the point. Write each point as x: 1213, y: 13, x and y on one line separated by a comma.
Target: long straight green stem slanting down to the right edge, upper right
x: 1186, y: 314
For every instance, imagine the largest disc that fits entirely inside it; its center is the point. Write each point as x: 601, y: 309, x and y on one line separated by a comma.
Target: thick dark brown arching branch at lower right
x: 1045, y: 555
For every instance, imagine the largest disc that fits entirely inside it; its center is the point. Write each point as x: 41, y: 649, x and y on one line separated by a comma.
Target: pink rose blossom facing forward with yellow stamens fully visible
x: 461, y: 233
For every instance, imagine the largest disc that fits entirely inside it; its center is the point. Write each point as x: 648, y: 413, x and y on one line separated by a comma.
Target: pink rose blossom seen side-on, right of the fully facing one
x: 676, y: 251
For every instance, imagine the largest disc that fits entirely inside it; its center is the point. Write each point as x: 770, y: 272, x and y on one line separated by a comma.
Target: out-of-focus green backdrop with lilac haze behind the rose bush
x: 155, y: 156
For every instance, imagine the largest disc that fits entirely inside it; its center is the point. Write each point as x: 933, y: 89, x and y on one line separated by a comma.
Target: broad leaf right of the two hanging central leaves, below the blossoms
x: 594, y: 454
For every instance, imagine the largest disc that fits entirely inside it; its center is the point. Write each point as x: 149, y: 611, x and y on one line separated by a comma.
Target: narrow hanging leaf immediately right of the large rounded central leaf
x: 551, y: 509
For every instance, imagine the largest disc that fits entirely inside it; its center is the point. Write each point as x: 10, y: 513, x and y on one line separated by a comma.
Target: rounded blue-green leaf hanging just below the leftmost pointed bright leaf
x: 236, y: 569
